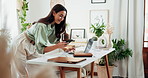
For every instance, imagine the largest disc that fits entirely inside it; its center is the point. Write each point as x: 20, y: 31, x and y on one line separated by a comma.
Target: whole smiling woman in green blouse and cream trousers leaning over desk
x: 43, y: 36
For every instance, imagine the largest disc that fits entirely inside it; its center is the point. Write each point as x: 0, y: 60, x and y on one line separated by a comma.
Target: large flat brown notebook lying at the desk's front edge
x: 69, y: 60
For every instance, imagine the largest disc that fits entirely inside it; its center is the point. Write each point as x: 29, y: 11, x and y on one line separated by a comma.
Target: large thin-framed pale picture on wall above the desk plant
x: 99, y: 16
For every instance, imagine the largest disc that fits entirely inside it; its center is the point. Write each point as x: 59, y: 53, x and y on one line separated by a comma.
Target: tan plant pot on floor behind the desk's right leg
x: 102, y: 73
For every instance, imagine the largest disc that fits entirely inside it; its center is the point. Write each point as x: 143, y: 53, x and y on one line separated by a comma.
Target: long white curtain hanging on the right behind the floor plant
x: 129, y: 25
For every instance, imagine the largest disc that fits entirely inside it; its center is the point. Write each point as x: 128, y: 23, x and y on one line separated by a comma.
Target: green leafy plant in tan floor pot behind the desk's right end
x: 121, y: 52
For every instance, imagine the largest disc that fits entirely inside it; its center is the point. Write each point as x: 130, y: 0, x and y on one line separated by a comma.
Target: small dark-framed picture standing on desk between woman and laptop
x: 77, y: 34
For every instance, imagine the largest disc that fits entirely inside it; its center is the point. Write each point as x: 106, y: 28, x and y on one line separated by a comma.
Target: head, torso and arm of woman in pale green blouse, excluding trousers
x: 47, y: 31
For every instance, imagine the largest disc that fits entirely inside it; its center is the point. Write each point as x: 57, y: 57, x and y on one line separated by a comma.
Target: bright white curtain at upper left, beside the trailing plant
x: 8, y: 16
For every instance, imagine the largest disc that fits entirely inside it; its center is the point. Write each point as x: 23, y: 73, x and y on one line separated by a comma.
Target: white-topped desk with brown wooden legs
x: 97, y: 54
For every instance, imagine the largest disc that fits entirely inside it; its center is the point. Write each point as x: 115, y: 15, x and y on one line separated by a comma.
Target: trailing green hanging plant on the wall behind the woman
x: 22, y: 13
